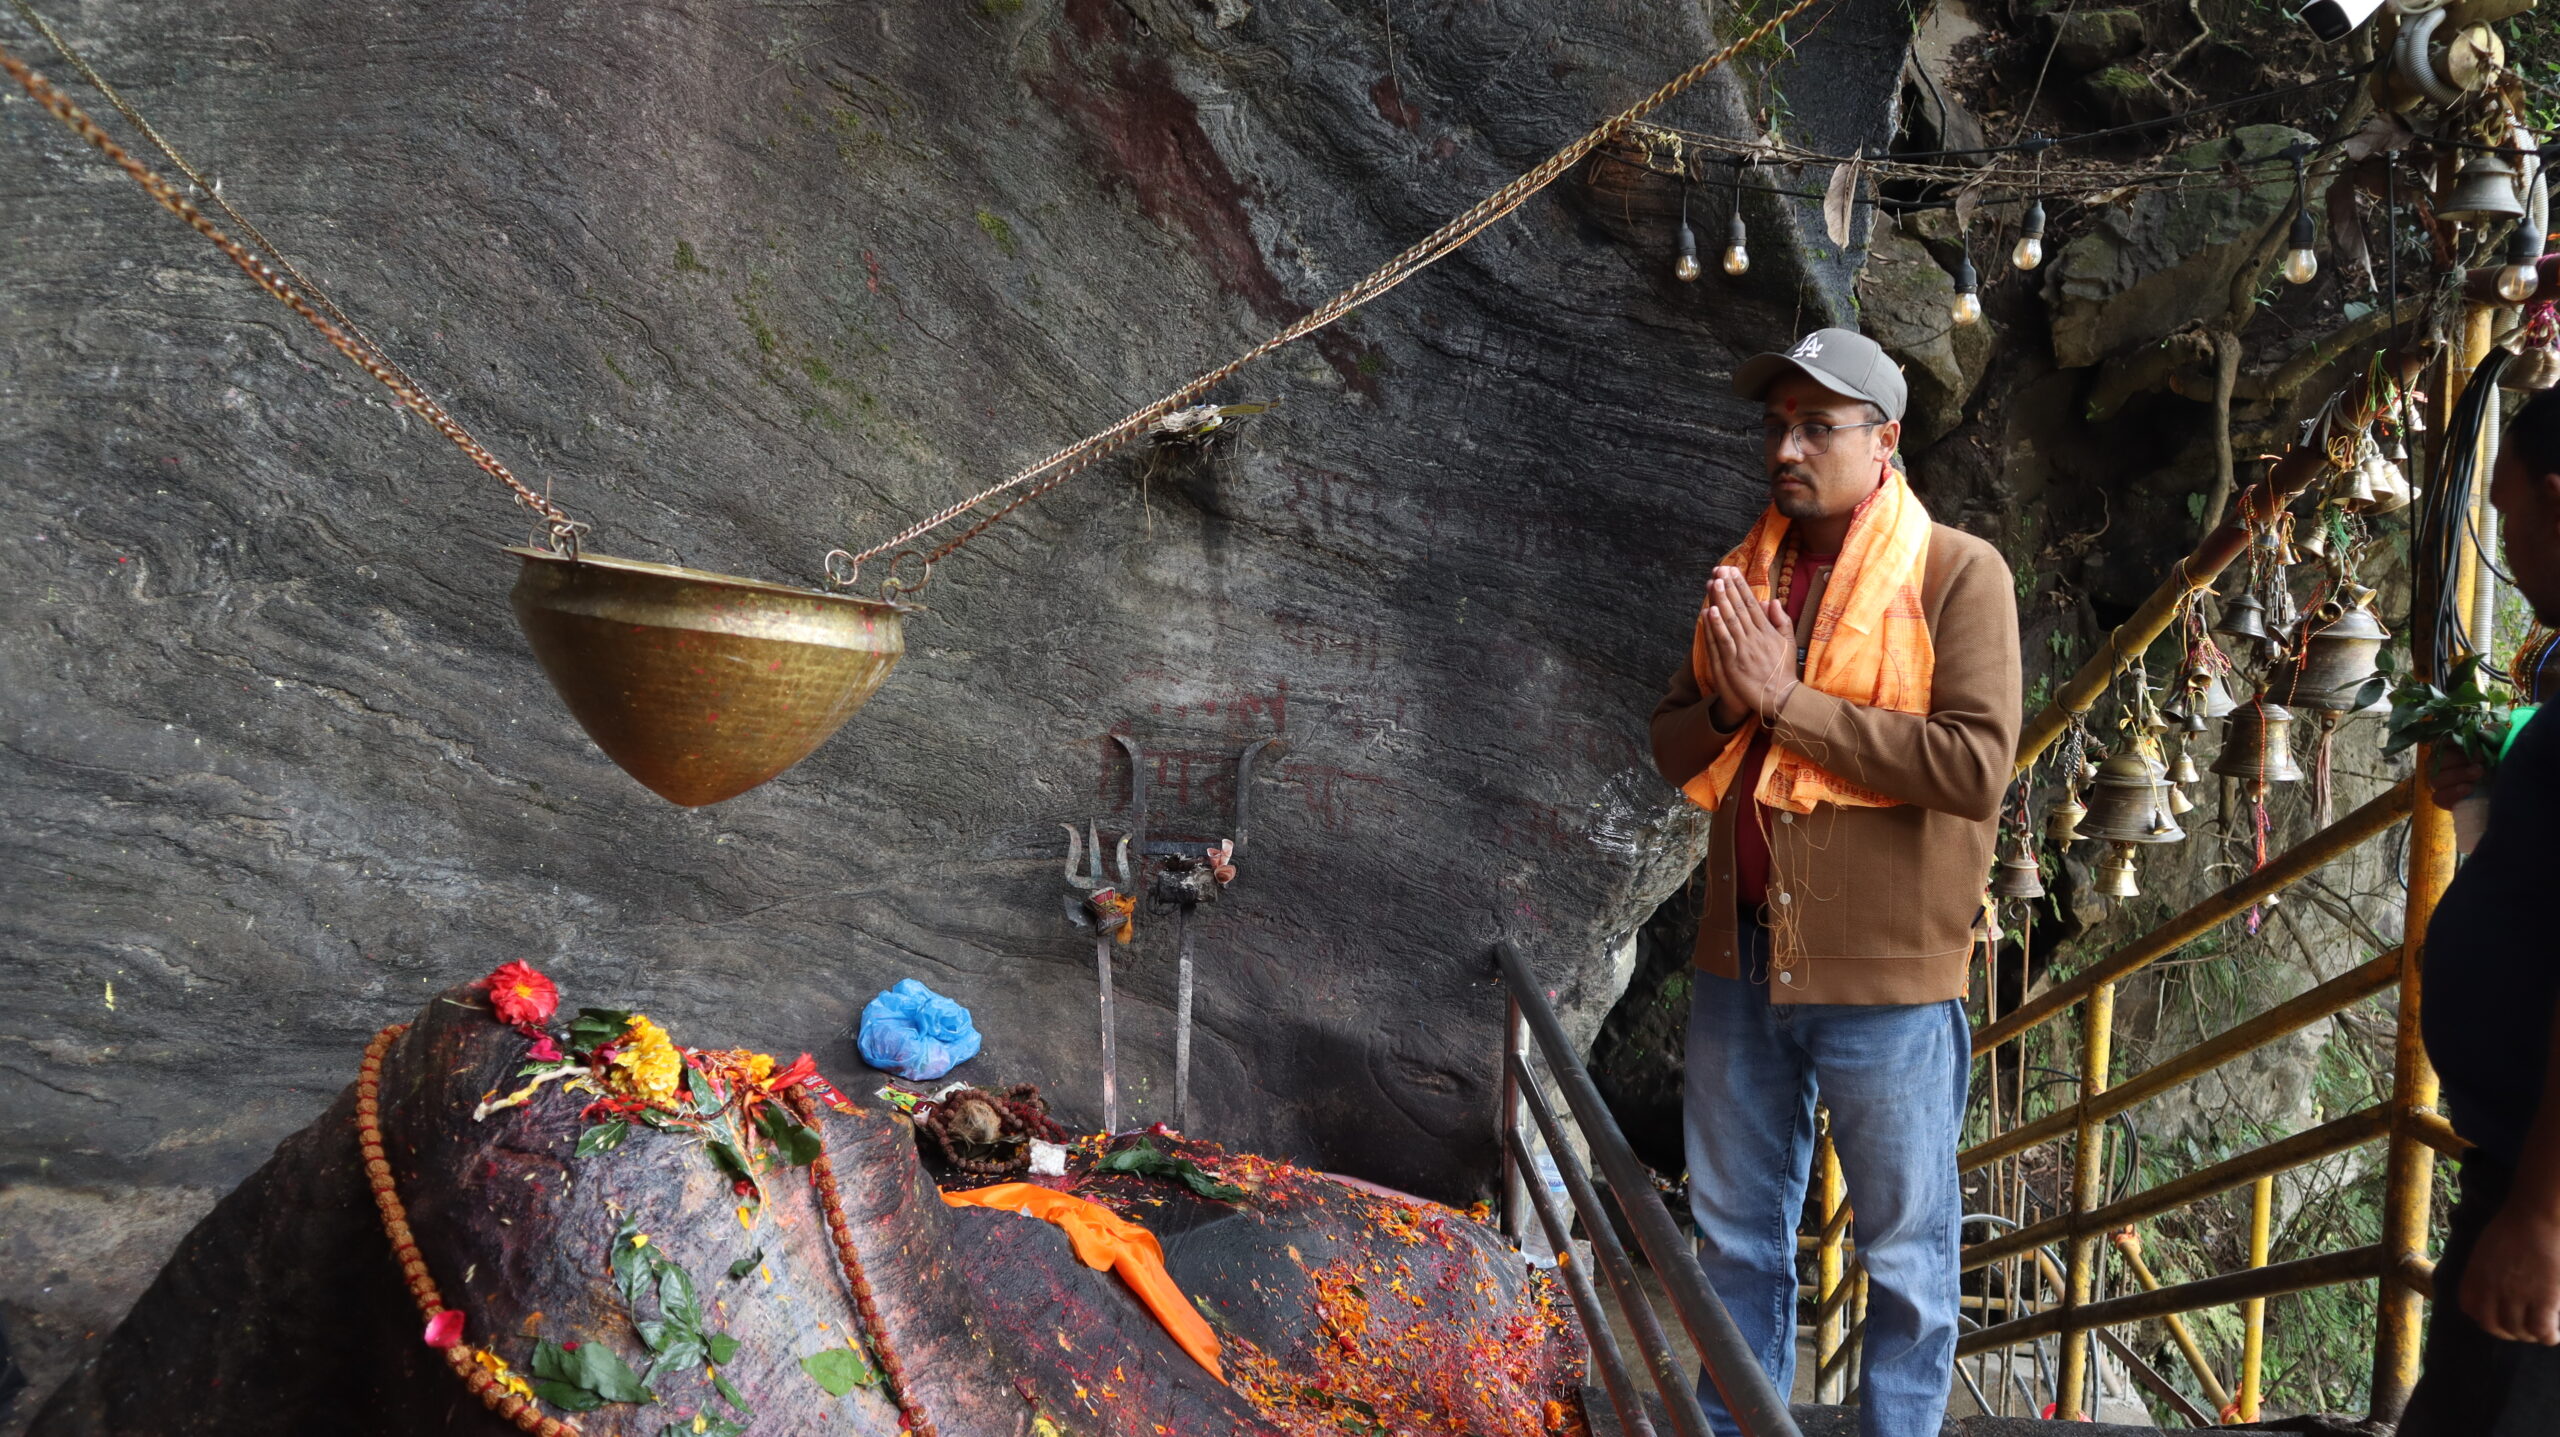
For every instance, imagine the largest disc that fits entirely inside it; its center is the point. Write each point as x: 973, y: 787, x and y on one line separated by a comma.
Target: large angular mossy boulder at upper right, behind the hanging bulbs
x: 2170, y: 257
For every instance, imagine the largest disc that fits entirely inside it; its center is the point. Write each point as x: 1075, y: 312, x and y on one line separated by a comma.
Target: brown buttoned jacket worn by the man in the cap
x: 1888, y: 898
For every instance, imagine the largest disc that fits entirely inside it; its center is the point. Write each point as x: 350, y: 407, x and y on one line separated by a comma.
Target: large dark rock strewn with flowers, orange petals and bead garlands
x: 677, y: 1274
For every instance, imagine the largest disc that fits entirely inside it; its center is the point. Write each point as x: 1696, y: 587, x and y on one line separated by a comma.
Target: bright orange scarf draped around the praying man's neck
x: 1870, y: 644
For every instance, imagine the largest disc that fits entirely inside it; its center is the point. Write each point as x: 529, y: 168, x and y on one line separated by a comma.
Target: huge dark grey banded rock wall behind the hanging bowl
x: 741, y: 286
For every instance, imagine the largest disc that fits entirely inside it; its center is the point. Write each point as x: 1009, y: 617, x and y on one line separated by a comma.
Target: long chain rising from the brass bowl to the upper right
x: 1059, y: 467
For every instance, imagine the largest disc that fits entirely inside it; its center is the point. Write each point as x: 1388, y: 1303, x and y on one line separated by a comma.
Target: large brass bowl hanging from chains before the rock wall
x: 700, y: 685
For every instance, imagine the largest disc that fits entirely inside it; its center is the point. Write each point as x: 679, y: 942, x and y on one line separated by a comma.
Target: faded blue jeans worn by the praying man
x: 1893, y: 1080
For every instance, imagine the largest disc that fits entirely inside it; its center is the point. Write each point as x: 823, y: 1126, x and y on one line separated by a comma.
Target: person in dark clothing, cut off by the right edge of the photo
x: 2492, y: 1016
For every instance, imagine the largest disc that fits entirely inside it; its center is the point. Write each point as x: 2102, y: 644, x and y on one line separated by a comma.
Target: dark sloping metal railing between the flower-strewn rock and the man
x: 1747, y: 1392
